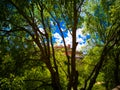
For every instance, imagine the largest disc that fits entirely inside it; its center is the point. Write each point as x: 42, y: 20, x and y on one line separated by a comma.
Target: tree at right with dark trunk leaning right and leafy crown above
x: 104, y: 31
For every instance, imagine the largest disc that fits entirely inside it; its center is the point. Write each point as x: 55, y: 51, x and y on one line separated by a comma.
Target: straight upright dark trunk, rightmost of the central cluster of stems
x: 73, y: 82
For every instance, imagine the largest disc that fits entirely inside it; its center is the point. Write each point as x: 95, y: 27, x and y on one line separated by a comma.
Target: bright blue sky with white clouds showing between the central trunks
x: 81, y: 39
